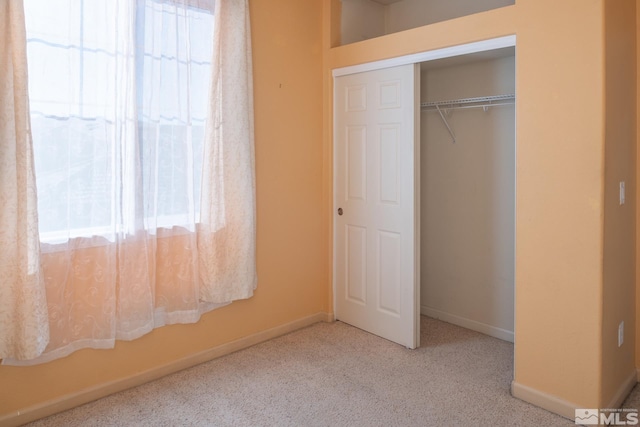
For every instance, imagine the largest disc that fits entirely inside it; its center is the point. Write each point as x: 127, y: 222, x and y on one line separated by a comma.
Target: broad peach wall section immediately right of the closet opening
x: 559, y: 199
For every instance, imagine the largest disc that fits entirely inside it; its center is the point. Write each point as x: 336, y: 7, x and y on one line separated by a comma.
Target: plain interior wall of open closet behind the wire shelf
x: 468, y: 198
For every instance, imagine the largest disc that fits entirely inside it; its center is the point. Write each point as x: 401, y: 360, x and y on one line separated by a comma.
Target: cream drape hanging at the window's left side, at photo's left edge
x: 24, y: 331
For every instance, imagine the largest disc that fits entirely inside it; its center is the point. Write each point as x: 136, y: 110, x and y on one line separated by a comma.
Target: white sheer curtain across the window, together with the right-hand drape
x: 145, y: 175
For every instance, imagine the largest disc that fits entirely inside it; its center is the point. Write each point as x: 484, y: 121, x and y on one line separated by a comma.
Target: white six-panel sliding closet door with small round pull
x: 376, y: 238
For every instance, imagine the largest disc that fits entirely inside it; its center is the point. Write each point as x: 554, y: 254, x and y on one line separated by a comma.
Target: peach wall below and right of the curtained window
x: 291, y: 242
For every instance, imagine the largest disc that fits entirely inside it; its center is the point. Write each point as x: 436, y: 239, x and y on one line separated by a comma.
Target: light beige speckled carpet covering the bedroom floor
x: 332, y: 374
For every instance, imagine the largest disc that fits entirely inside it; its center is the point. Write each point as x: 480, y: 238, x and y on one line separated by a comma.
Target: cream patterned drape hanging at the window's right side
x: 226, y: 238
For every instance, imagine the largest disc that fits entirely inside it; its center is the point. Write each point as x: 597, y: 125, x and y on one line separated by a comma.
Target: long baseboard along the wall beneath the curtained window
x: 90, y: 394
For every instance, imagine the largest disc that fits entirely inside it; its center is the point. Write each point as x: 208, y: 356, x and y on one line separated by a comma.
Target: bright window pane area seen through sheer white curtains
x: 118, y: 94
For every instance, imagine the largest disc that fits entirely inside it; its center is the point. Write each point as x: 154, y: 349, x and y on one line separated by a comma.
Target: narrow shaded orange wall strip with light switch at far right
x: 619, y: 287
